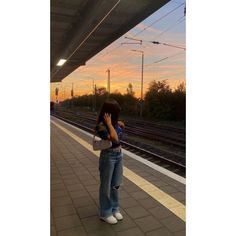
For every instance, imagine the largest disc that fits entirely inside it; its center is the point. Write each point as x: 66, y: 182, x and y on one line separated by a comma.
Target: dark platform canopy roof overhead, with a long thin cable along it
x: 82, y: 28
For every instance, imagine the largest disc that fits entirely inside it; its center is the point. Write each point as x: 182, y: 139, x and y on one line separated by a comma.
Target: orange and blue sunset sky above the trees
x: 125, y: 65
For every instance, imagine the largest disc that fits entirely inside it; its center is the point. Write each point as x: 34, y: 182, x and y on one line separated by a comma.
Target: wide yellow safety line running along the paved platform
x: 166, y: 200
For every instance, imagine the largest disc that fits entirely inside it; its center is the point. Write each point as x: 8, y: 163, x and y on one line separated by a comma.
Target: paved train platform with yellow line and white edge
x: 152, y: 199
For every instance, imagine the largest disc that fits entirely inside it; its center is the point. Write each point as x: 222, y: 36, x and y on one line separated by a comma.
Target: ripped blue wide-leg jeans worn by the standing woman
x: 111, y: 171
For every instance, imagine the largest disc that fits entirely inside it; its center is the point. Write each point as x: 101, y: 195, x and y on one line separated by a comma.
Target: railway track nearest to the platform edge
x: 166, y: 162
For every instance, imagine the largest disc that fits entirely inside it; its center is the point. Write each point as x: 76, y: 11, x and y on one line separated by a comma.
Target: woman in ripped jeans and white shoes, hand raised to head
x: 110, y: 162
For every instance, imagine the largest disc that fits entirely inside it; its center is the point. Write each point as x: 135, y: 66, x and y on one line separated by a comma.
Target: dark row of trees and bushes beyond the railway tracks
x: 160, y: 101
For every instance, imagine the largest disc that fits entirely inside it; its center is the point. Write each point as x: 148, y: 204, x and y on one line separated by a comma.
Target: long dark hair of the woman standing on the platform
x: 112, y: 107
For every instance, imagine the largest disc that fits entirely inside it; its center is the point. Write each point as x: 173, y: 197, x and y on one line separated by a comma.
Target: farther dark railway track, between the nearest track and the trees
x: 149, y: 130
